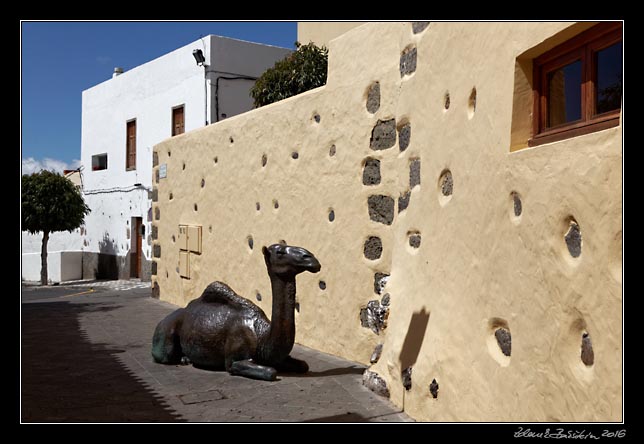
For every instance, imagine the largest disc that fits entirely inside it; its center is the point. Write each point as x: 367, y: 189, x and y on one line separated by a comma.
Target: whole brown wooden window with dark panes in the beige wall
x: 578, y: 85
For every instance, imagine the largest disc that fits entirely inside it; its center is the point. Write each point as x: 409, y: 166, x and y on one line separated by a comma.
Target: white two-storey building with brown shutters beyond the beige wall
x: 122, y: 119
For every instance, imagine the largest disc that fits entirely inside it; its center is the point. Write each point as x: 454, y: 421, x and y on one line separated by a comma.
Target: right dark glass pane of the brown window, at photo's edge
x: 609, y: 78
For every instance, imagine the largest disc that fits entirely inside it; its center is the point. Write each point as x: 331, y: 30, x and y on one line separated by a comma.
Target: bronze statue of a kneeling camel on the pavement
x: 222, y: 330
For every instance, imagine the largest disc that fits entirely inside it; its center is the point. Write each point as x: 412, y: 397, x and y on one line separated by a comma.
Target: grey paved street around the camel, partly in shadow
x: 86, y: 358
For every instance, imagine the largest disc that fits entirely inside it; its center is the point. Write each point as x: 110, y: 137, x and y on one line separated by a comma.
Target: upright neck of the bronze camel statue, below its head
x: 281, y: 335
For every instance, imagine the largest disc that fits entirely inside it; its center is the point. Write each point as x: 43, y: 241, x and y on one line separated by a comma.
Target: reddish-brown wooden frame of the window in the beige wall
x: 583, y: 47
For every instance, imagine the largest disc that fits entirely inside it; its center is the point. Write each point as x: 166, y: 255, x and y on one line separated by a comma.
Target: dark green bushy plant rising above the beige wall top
x: 302, y: 70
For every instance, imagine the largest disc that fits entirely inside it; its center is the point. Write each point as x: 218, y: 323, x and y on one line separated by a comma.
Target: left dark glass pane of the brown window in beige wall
x: 564, y: 94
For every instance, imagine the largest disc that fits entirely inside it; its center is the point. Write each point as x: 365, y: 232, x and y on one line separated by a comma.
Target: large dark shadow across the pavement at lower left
x: 66, y: 378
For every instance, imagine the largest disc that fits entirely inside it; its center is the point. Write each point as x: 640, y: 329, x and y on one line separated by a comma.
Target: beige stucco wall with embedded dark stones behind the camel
x: 478, y: 266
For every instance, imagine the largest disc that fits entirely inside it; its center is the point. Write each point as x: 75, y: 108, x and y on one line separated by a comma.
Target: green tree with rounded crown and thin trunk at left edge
x: 50, y: 203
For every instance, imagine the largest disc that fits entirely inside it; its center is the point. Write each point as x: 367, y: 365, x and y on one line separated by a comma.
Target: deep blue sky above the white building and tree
x: 61, y: 59
